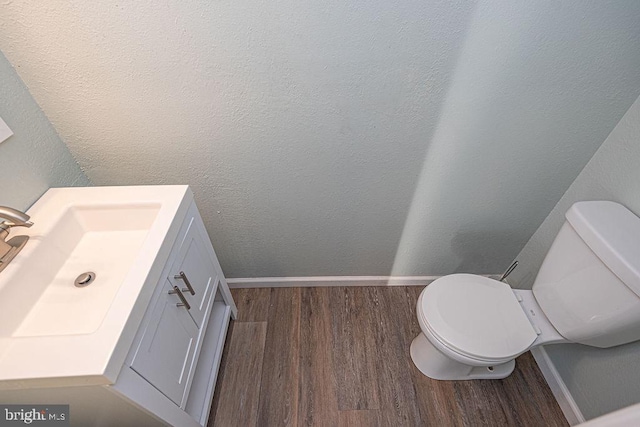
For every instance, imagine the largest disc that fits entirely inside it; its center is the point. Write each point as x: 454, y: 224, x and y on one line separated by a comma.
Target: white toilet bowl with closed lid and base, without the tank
x: 473, y: 327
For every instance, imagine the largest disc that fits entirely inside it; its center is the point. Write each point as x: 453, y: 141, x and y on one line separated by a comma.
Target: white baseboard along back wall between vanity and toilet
x: 313, y: 281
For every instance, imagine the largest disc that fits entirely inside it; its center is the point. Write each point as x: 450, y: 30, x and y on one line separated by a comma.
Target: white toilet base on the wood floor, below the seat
x: 431, y: 362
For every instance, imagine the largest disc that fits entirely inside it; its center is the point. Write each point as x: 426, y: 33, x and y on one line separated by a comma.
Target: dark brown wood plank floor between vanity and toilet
x: 340, y: 357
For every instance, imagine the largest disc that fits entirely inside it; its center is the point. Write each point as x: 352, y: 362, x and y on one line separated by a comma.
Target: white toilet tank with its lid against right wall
x: 589, y: 282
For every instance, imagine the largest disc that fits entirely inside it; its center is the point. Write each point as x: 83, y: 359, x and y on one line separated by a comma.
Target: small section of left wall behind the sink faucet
x: 34, y: 158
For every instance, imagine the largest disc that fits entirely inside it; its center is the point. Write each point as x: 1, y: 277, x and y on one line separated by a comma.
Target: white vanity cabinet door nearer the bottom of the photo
x: 164, y: 356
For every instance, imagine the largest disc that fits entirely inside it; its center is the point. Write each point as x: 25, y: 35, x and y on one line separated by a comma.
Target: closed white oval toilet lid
x: 477, y: 316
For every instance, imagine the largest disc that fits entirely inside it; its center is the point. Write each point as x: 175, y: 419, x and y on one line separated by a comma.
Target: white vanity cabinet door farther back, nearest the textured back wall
x: 193, y: 266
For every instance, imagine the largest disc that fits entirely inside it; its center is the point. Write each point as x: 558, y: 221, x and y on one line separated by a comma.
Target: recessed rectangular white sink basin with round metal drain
x: 38, y: 295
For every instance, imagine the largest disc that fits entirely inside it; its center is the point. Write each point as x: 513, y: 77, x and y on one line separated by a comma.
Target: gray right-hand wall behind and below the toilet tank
x: 600, y: 380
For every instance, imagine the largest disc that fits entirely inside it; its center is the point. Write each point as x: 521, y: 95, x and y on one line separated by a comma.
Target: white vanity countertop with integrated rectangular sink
x: 48, y: 326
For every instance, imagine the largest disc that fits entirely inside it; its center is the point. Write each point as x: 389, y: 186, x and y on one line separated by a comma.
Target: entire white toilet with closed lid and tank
x: 587, y: 291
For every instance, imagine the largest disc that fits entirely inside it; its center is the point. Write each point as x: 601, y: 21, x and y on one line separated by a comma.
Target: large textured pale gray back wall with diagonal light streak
x: 333, y: 137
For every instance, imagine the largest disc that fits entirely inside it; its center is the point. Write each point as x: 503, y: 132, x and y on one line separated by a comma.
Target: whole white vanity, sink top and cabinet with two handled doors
x: 140, y: 343
